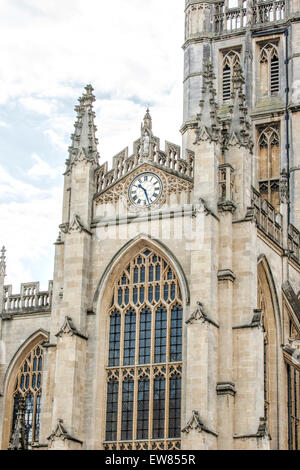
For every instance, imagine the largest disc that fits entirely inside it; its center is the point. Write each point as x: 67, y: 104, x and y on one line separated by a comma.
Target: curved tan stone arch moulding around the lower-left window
x: 9, y: 384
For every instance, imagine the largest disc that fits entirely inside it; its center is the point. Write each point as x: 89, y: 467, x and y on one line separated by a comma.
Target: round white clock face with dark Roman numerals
x: 145, y: 189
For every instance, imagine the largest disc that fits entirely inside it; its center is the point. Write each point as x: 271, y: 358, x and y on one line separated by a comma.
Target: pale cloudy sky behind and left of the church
x: 130, y: 50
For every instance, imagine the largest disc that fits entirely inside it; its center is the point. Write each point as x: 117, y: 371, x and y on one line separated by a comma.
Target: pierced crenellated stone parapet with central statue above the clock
x: 146, y: 149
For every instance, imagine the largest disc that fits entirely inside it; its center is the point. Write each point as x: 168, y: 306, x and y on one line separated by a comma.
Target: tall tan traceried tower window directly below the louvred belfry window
x: 269, y: 163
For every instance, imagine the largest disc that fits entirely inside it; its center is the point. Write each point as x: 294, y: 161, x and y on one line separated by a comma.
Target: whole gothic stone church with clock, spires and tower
x: 173, y: 319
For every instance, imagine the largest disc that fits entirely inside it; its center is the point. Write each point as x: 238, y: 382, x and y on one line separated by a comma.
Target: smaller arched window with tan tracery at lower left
x: 28, y: 389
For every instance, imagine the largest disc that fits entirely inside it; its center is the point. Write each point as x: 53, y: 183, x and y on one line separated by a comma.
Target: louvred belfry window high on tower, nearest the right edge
x: 269, y: 70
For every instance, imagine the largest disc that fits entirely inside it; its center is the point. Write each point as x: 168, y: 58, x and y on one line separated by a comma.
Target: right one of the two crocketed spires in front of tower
x: 239, y: 128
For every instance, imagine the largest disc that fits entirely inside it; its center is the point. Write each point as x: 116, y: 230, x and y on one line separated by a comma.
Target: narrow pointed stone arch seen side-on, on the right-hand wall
x: 269, y: 305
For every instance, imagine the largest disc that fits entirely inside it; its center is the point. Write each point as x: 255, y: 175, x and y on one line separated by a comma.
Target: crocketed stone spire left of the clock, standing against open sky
x: 84, y: 141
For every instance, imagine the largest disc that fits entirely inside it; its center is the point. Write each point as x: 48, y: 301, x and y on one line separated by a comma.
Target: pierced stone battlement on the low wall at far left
x: 30, y: 299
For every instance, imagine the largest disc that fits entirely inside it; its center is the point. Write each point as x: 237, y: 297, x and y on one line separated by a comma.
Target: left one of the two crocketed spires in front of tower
x: 209, y: 126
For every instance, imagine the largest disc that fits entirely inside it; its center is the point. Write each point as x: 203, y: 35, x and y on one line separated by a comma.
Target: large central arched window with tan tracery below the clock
x: 144, y: 367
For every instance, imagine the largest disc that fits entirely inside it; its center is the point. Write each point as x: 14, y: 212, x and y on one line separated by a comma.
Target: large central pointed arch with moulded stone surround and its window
x: 140, y: 304
